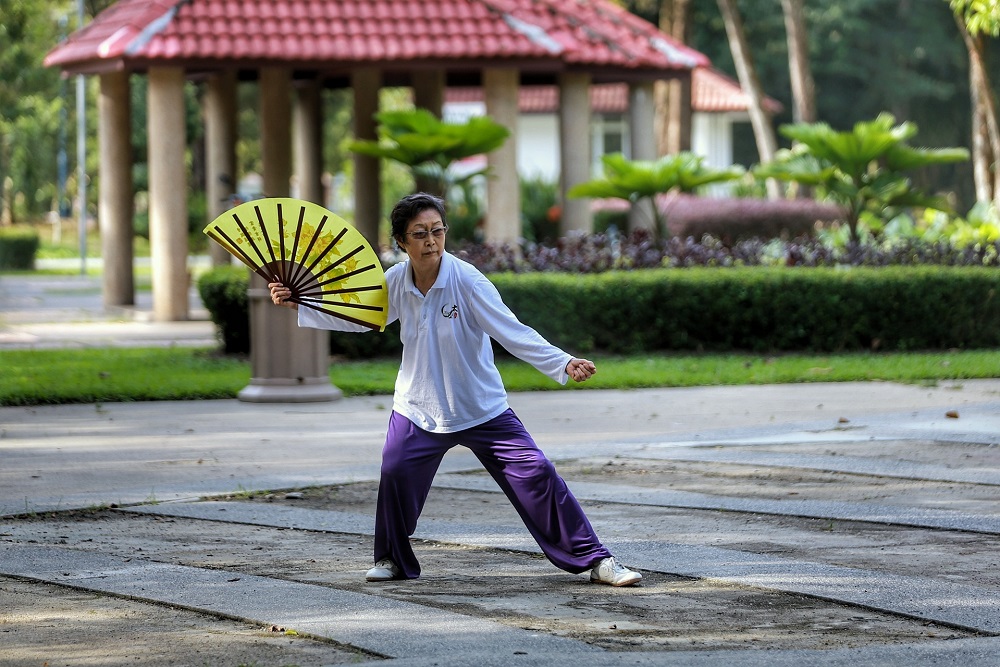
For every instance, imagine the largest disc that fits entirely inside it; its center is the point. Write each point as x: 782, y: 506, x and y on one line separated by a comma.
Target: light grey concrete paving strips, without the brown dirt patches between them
x: 174, y: 453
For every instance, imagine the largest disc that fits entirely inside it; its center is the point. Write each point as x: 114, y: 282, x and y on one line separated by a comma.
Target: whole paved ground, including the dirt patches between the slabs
x: 821, y: 524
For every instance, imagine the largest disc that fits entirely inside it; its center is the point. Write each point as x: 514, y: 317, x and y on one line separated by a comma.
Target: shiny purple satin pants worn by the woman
x: 552, y: 515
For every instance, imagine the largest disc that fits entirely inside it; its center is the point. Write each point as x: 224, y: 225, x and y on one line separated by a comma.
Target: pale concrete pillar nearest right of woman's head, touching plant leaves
x: 503, y: 190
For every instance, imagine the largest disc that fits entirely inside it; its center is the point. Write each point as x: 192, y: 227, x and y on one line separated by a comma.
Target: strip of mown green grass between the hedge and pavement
x: 39, y: 377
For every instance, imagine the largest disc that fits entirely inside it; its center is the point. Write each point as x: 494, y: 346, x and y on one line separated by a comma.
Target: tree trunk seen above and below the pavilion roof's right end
x: 673, y: 98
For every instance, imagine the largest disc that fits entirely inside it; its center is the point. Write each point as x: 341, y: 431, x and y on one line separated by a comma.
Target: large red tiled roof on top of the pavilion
x: 321, y: 33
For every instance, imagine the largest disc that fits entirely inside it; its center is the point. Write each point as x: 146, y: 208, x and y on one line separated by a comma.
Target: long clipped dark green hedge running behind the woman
x: 753, y: 309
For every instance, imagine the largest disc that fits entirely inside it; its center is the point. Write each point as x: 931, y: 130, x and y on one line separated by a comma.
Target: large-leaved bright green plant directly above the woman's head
x: 429, y: 146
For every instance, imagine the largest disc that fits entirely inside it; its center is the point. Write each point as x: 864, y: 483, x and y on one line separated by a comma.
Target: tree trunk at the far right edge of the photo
x: 984, y: 109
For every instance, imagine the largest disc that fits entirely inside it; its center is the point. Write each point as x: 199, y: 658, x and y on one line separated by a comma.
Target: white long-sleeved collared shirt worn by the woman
x: 447, y: 380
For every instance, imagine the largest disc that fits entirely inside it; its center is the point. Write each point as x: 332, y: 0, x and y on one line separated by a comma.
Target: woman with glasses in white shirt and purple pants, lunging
x: 449, y: 392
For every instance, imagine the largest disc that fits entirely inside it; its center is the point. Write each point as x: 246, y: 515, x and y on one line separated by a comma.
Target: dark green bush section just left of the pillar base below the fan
x: 223, y: 291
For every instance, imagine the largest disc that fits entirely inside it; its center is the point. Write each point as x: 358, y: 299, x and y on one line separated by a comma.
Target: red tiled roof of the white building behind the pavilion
x: 711, y: 92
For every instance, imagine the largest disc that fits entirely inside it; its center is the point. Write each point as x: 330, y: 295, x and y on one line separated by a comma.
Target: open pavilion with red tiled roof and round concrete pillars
x: 295, y: 48
